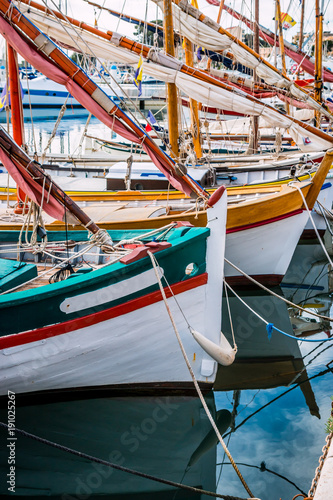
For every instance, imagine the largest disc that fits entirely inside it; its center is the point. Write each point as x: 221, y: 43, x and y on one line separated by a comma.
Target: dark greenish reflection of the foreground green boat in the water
x: 167, y: 437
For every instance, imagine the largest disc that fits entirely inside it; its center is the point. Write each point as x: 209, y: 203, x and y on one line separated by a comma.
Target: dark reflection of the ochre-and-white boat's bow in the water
x: 262, y: 362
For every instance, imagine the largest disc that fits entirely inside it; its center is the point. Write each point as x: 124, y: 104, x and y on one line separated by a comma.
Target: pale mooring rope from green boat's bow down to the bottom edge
x: 195, y: 382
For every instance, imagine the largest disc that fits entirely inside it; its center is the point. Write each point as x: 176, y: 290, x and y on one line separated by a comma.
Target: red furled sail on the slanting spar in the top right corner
x: 300, y: 57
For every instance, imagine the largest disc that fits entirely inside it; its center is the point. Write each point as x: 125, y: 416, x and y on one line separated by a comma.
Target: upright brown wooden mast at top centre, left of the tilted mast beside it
x: 172, y: 97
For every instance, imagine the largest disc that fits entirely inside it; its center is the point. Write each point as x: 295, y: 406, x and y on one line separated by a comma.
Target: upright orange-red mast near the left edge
x: 16, y: 113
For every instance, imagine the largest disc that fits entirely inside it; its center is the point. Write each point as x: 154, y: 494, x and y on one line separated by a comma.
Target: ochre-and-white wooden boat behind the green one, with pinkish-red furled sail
x: 259, y: 227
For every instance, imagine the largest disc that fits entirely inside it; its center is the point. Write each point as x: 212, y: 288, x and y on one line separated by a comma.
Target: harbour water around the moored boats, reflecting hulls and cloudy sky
x: 271, y: 407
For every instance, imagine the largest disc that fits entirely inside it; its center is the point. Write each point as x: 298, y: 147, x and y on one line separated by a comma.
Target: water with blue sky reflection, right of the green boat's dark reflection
x: 279, y: 390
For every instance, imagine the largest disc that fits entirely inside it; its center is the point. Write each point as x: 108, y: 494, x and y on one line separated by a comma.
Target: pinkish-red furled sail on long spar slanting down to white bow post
x: 47, y: 58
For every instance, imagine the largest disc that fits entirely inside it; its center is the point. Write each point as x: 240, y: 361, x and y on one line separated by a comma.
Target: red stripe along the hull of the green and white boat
x: 94, y: 318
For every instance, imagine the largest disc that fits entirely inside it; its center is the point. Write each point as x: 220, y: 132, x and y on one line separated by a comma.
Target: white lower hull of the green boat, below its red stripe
x: 108, y: 351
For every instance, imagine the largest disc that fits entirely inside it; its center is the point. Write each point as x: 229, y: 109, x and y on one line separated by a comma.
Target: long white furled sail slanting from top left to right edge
x: 229, y: 98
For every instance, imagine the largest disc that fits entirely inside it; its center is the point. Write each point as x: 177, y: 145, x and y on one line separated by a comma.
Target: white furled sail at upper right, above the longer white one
x: 202, y: 30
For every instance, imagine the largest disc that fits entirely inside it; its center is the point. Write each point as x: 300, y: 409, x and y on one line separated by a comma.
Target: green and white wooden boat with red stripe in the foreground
x: 109, y: 326
